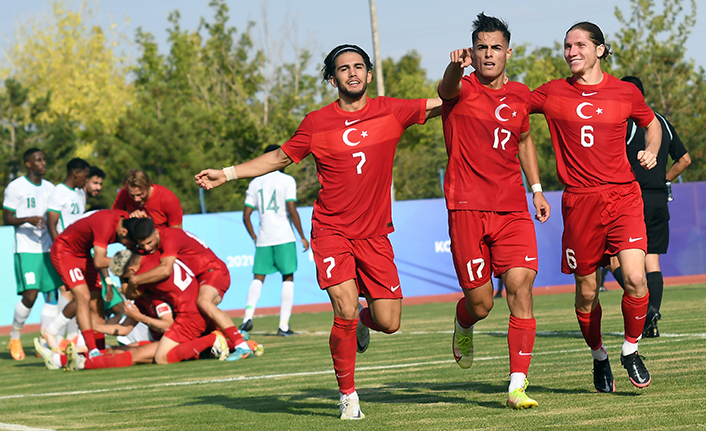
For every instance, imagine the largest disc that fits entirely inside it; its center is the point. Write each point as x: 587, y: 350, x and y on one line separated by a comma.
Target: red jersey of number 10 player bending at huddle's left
x: 97, y: 229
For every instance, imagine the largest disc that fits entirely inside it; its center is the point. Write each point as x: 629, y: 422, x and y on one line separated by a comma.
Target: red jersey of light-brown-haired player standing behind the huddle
x: 163, y: 207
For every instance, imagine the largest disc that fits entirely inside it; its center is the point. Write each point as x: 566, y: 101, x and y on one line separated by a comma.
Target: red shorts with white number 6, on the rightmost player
x: 599, y: 222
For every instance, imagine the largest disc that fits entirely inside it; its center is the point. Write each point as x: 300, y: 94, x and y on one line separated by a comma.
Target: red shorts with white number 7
x: 367, y: 261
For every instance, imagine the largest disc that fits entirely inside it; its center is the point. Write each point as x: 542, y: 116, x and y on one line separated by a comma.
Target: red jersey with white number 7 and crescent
x: 354, y: 153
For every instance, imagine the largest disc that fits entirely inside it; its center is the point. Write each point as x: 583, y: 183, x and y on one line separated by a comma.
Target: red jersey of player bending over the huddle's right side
x: 188, y: 248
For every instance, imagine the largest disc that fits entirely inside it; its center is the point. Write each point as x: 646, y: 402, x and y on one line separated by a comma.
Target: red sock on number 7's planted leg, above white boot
x: 343, y: 349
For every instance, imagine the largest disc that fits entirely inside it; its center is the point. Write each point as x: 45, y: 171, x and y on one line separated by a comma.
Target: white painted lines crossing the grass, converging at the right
x: 330, y: 371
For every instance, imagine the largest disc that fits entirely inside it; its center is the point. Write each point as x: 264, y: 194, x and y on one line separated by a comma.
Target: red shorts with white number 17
x: 482, y: 241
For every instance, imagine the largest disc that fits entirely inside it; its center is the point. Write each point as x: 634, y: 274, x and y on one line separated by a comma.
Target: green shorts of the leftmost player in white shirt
x: 34, y: 271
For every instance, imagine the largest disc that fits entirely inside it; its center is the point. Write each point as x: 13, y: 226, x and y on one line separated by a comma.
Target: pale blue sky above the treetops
x: 404, y: 25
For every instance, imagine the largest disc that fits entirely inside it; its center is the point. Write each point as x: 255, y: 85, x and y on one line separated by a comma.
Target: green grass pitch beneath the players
x: 406, y: 381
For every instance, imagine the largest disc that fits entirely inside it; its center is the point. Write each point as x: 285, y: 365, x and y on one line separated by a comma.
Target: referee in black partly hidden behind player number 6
x: 656, y: 185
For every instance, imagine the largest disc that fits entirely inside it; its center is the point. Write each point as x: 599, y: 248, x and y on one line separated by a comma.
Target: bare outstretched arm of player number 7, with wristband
x: 268, y: 162
